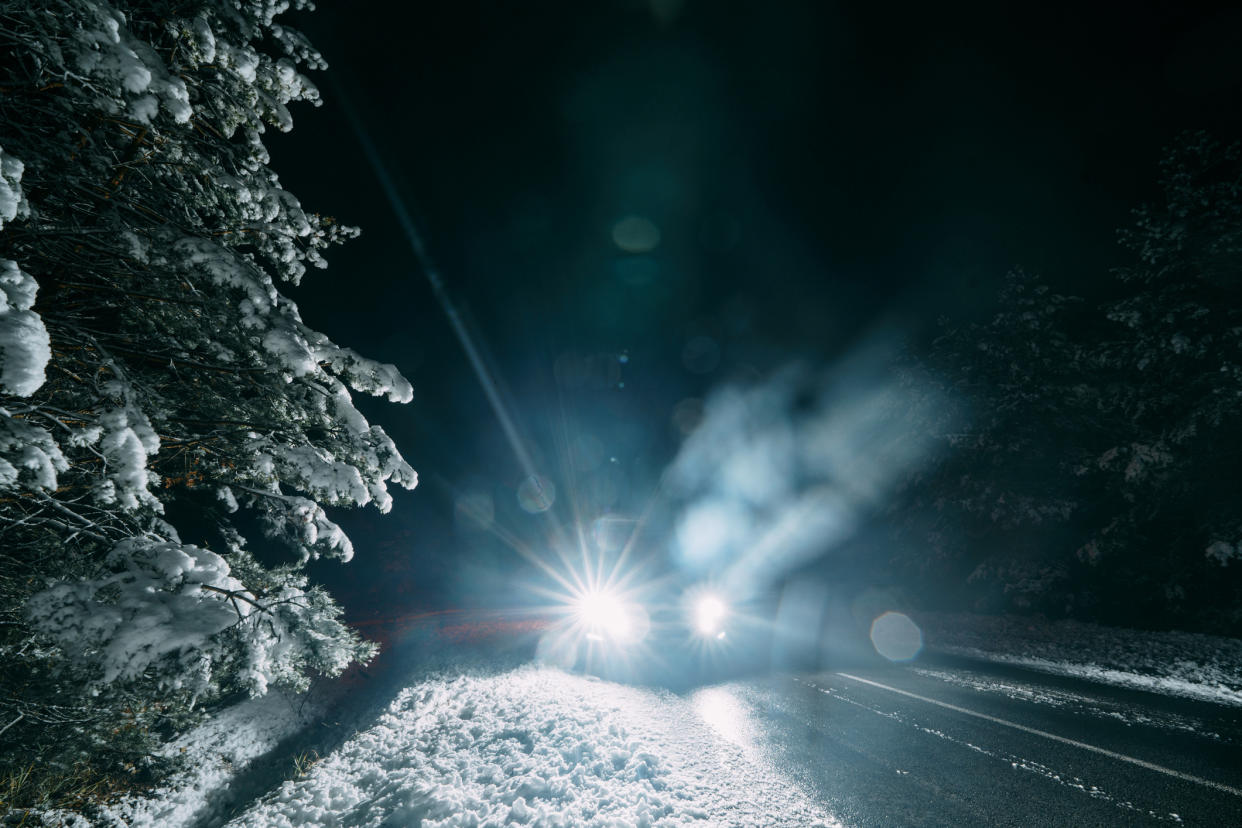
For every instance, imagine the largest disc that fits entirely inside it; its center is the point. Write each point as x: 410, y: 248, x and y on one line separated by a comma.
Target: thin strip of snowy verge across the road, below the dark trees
x: 1189, y: 665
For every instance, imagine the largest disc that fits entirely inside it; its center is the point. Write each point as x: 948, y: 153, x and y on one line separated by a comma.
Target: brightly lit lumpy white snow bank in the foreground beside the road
x: 537, y: 747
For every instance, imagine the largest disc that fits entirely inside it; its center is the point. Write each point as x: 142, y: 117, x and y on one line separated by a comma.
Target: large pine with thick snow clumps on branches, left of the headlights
x: 150, y: 367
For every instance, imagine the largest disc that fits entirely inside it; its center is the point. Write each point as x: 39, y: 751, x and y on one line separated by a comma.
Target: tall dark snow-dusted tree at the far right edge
x: 1171, y: 372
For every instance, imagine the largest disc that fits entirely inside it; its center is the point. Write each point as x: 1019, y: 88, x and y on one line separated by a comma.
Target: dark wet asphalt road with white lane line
x: 958, y: 743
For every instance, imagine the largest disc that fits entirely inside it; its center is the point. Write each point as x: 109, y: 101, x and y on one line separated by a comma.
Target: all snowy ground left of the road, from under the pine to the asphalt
x: 478, y: 736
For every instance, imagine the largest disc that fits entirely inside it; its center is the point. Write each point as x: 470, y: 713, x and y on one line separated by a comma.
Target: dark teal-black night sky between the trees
x: 817, y: 172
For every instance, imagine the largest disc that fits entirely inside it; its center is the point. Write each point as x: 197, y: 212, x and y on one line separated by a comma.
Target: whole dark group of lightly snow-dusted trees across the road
x: 1101, y: 445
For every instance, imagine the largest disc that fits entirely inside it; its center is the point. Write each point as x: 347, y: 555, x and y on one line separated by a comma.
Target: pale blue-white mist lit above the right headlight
x: 783, y: 472
